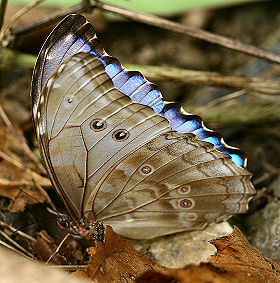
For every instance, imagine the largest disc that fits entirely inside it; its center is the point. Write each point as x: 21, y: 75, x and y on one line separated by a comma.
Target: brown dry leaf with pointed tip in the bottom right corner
x: 236, y: 261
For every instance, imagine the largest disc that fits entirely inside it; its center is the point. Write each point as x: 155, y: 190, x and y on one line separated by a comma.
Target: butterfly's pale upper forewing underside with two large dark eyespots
x: 78, y: 93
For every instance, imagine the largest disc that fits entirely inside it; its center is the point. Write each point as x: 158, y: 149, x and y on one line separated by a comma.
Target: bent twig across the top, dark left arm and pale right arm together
x: 154, y: 21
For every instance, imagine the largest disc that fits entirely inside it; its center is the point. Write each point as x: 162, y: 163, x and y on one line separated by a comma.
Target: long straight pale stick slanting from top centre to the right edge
x: 190, y: 31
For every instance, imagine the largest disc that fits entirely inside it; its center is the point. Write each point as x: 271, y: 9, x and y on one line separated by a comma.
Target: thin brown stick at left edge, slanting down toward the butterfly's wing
x: 25, y: 147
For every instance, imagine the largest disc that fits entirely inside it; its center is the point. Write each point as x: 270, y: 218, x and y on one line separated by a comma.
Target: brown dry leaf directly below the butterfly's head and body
x: 116, y: 260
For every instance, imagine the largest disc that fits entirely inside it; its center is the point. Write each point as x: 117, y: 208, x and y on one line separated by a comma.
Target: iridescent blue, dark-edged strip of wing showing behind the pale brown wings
x: 75, y: 34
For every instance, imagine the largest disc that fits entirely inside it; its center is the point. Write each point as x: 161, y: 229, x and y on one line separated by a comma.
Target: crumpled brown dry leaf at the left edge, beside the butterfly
x: 17, y: 181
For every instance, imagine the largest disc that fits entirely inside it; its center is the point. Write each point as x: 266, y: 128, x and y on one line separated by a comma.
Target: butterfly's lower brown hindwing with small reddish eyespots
x: 172, y: 183
